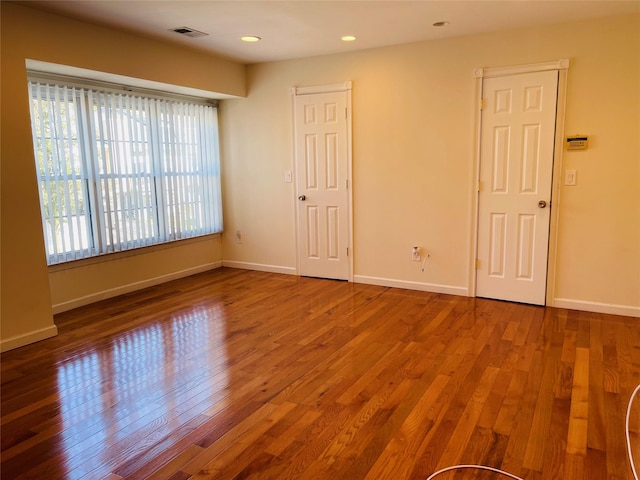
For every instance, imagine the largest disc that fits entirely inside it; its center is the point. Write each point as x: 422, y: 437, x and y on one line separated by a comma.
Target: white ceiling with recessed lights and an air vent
x: 304, y: 28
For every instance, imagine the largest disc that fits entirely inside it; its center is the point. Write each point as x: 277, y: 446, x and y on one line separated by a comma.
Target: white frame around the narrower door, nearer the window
x: 345, y: 87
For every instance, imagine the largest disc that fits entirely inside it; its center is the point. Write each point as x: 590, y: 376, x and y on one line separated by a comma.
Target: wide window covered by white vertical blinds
x: 118, y: 170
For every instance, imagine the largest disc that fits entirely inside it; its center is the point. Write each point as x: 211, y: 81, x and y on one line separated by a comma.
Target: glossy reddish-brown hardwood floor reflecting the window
x: 252, y: 375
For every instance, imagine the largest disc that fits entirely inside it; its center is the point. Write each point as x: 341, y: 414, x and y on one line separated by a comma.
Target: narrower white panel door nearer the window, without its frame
x: 322, y: 174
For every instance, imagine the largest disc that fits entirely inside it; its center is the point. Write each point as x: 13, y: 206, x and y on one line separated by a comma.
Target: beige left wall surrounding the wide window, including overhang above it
x: 26, y: 298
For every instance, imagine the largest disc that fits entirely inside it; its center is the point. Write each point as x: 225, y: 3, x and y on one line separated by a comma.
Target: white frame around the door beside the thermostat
x: 562, y: 66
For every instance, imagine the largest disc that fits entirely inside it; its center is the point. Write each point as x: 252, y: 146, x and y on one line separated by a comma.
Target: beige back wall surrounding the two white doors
x: 413, y: 159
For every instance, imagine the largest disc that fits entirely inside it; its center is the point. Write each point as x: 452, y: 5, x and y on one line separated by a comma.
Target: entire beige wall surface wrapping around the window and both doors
x: 413, y: 124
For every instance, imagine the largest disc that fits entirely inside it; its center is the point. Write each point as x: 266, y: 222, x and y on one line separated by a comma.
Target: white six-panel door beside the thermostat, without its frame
x: 516, y: 166
